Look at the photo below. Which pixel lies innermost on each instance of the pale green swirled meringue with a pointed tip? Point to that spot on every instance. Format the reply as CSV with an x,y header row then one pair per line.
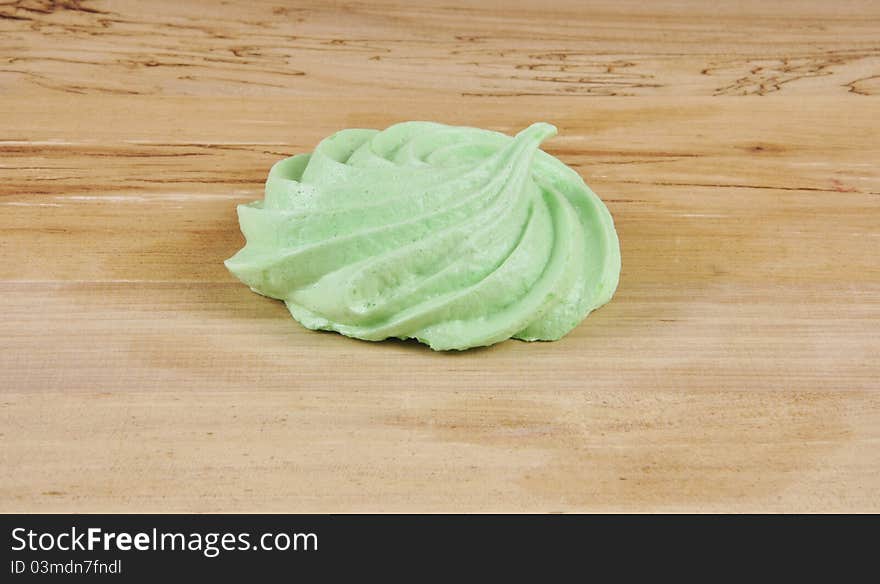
x,y
455,236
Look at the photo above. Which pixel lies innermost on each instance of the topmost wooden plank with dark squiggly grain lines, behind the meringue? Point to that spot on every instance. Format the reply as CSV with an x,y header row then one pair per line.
x,y
569,48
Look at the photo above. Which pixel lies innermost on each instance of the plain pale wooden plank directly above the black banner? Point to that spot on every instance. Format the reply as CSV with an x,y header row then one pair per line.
x,y
340,448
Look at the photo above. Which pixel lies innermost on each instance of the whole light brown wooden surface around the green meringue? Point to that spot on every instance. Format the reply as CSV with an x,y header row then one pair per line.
x,y
737,368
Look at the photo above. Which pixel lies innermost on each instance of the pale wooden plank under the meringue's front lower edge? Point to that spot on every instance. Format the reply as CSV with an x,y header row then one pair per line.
x,y
121,336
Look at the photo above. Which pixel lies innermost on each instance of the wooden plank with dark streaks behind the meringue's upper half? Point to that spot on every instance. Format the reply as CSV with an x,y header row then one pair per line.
x,y
705,188
